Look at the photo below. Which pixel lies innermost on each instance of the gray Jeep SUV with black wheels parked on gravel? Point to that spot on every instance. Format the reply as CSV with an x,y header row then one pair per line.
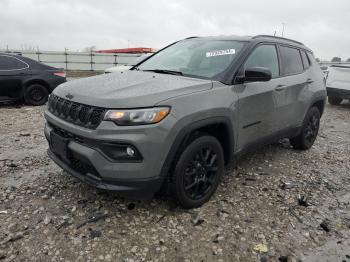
x,y
174,120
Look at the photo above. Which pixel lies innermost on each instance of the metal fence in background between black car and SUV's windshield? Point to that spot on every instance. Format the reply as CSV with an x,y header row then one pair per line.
x,y
85,61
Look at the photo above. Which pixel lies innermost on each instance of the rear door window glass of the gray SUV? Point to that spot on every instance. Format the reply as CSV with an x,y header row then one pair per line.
x,y
291,61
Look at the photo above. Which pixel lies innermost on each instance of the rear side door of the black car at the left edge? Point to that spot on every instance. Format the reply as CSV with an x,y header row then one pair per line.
x,y
12,72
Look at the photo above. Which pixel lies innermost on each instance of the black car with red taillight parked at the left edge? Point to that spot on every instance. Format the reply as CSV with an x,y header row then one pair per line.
x,y
23,79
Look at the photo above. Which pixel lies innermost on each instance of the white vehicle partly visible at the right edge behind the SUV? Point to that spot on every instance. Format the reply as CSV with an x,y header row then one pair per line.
x,y
338,83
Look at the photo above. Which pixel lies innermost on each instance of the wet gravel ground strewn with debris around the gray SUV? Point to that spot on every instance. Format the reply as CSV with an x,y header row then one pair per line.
x,y
278,204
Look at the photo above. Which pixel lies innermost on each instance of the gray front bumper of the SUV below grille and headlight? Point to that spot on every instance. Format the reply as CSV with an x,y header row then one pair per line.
x,y
88,163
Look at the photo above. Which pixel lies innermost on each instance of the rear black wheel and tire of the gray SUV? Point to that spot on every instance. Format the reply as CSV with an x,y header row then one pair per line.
x,y
309,130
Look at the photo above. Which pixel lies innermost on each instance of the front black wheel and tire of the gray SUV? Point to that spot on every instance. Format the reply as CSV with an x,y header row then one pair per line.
x,y
198,172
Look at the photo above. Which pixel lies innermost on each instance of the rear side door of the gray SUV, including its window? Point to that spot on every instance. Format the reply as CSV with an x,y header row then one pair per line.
x,y
291,96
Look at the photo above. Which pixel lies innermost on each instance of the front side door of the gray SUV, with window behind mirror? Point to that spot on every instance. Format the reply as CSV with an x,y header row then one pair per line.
x,y
257,101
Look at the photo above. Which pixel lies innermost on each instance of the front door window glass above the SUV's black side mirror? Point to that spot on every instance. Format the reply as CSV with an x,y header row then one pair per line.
x,y
264,56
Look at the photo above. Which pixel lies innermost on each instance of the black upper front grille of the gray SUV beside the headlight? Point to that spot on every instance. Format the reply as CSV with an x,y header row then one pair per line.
x,y
79,114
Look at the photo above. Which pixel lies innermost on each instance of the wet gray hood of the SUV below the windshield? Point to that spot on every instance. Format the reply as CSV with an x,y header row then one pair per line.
x,y
129,89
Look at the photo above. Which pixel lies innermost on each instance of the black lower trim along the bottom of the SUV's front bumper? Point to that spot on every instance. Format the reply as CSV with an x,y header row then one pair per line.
x,y
140,188
